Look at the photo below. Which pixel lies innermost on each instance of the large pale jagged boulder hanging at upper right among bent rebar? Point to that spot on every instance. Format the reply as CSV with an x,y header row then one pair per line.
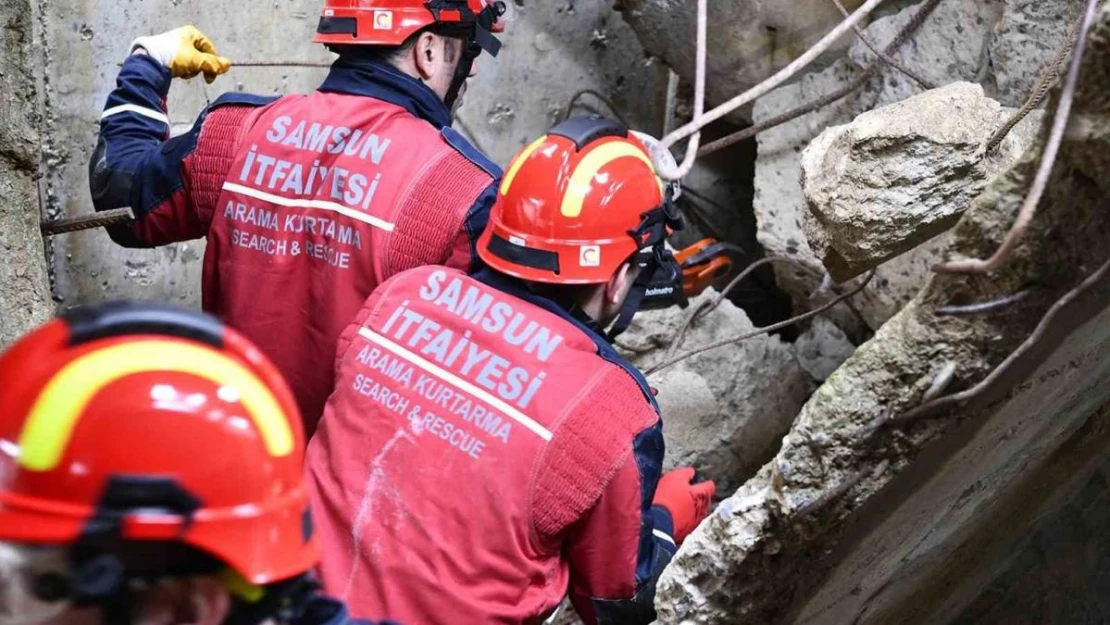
x,y
902,175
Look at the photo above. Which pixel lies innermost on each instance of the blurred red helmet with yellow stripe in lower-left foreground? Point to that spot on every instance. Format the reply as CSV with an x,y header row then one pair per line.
x,y
139,425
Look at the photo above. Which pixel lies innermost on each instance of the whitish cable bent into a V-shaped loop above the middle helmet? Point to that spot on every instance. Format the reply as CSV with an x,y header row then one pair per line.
x,y
701,120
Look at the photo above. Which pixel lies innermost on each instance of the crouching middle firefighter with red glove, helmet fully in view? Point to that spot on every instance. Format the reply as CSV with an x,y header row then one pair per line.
x,y
487,451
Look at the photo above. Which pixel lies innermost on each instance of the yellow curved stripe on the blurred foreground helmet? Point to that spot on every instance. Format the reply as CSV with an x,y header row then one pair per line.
x,y
57,410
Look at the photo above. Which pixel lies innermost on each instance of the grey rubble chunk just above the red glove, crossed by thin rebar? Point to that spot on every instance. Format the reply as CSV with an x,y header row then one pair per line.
x,y
724,411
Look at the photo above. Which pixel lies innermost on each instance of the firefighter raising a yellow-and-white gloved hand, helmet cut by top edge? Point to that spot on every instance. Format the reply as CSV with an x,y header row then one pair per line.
x,y
308,203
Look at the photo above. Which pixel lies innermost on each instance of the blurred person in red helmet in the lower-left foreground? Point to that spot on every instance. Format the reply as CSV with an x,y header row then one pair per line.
x,y
152,475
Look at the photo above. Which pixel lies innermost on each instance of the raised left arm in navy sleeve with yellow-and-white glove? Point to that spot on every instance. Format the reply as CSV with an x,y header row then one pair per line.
x,y
137,165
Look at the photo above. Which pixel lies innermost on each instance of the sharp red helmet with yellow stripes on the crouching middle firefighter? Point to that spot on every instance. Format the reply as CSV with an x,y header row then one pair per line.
x,y
576,205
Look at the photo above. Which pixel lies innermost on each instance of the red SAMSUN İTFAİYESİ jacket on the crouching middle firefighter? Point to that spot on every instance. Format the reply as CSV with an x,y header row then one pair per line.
x,y
486,453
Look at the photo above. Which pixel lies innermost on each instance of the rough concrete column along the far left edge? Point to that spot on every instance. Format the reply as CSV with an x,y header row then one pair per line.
x,y
25,291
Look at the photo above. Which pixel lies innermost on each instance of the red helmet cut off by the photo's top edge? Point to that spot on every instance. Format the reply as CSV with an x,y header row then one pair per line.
x,y
391,23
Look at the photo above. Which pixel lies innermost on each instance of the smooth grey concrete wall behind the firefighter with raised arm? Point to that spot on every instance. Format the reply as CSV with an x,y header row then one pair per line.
x,y
552,51
